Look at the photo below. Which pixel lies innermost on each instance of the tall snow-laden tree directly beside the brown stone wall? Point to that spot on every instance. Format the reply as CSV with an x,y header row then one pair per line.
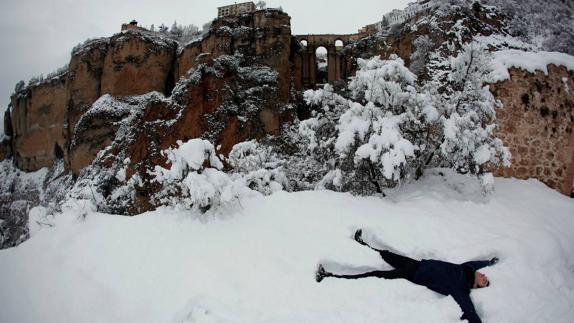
x,y
468,116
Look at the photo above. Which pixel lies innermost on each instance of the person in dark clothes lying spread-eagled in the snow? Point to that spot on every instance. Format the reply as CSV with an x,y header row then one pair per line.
x,y
442,277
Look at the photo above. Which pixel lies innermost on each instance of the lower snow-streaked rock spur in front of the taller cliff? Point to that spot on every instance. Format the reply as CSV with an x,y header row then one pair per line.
x,y
224,100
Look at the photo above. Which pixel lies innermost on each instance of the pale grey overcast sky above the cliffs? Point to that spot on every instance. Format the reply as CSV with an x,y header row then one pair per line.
x,y
37,35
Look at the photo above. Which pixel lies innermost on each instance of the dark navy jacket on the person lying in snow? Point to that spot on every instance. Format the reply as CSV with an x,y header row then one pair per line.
x,y
451,279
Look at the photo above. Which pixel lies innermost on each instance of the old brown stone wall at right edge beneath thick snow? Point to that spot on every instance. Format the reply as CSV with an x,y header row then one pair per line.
x,y
537,123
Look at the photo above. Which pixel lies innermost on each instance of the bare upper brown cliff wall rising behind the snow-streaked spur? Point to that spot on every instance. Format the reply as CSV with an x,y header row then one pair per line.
x,y
46,116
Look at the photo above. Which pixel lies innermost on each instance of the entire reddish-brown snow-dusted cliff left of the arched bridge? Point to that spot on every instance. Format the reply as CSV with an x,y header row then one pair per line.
x,y
125,98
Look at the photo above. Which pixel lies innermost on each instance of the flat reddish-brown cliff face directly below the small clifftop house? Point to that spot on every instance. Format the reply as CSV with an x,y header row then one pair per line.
x,y
137,63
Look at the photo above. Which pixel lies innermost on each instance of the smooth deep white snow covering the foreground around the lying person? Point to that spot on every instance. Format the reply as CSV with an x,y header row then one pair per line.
x,y
258,264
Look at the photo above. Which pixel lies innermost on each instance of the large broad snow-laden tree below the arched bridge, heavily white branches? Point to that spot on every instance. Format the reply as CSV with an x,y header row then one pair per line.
x,y
378,131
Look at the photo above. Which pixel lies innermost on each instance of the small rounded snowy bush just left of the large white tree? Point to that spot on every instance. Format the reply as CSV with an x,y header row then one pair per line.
x,y
259,166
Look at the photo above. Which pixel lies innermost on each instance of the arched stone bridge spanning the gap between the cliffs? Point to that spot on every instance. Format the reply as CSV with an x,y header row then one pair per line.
x,y
337,64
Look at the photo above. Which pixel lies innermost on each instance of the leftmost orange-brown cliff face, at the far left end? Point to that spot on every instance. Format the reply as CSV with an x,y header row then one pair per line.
x,y
38,117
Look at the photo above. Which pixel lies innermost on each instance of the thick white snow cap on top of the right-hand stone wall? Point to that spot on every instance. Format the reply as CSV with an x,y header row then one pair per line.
x,y
529,61
